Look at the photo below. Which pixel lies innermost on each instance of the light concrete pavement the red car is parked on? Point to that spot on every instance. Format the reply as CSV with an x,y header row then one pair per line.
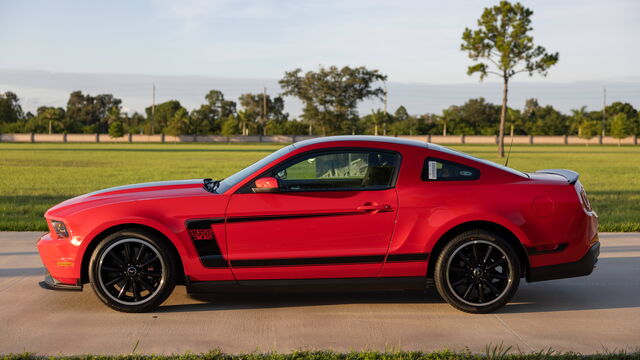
x,y
590,314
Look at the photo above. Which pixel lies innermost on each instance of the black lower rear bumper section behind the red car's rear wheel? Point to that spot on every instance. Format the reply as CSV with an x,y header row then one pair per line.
x,y
582,267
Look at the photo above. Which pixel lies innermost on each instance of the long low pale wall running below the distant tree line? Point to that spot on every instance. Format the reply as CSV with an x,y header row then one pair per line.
x,y
285,139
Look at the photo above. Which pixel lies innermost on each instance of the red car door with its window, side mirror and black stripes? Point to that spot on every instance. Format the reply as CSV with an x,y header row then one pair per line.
x,y
332,217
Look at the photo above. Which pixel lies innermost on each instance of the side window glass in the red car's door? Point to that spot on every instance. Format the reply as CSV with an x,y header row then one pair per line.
x,y
339,170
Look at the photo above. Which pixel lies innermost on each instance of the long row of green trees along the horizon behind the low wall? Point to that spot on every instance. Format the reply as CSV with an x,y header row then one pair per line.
x,y
261,114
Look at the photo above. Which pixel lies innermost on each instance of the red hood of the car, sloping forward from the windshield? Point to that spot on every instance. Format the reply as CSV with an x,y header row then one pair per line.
x,y
133,192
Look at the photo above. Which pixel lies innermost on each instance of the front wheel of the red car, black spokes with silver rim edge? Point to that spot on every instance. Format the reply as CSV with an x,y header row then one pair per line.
x,y
132,271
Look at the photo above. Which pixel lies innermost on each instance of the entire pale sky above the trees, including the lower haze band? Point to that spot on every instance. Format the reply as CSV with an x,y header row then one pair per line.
x,y
51,47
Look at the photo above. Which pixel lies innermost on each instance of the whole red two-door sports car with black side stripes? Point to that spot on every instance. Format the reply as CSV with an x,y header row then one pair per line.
x,y
353,212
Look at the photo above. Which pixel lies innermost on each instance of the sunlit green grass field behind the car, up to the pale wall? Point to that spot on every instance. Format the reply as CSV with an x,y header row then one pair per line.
x,y
34,177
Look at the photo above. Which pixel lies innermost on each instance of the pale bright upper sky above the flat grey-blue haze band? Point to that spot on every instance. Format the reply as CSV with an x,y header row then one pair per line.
x,y
408,40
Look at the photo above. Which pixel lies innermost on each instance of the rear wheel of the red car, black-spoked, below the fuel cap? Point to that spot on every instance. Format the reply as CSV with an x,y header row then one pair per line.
x,y
477,272
